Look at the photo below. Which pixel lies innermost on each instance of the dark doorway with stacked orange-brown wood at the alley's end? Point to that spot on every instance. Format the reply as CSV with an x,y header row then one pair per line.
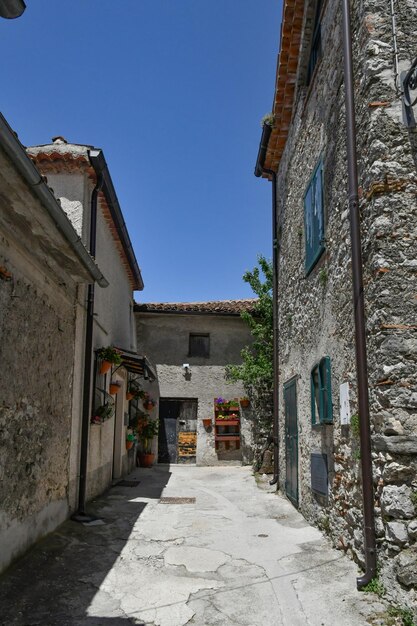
x,y
177,436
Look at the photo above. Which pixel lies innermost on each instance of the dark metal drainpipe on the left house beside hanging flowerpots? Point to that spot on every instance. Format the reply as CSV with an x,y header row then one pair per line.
x,y
80,515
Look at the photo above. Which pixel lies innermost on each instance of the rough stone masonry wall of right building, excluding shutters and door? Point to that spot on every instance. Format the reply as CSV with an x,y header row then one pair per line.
x,y
315,310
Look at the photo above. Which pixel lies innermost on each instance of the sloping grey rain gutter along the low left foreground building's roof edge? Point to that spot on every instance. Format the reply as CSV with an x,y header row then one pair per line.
x,y
17,154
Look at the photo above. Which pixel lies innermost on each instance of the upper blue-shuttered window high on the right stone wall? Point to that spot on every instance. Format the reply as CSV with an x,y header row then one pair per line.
x,y
314,218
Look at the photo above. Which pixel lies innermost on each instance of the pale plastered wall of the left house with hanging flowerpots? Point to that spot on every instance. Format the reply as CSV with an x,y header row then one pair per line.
x,y
113,325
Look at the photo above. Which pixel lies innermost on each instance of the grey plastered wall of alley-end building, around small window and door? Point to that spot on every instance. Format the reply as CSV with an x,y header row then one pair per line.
x,y
164,339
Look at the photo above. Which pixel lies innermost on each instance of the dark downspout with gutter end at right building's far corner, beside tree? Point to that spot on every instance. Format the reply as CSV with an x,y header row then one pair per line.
x,y
259,170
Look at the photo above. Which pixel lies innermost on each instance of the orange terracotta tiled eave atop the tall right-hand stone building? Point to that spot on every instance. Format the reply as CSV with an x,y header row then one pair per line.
x,y
285,83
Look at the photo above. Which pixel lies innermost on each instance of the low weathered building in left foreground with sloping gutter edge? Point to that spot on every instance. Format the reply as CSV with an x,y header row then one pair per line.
x,y
43,272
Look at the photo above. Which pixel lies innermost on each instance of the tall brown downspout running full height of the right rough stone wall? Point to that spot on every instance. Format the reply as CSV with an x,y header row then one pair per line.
x,y
359,310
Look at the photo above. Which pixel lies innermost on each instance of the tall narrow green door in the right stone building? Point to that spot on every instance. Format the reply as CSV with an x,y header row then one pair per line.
x,y
291,440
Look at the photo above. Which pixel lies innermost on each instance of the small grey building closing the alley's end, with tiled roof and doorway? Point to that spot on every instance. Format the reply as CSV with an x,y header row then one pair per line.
x,y
190,345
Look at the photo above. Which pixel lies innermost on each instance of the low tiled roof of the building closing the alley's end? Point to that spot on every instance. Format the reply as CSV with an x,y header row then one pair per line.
x,y
219,307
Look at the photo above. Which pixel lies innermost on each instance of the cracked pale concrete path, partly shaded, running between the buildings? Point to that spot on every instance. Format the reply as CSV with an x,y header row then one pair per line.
x,y
237,555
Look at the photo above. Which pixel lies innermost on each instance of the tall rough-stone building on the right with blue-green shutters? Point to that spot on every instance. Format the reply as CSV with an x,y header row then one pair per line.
x,y
306,154
